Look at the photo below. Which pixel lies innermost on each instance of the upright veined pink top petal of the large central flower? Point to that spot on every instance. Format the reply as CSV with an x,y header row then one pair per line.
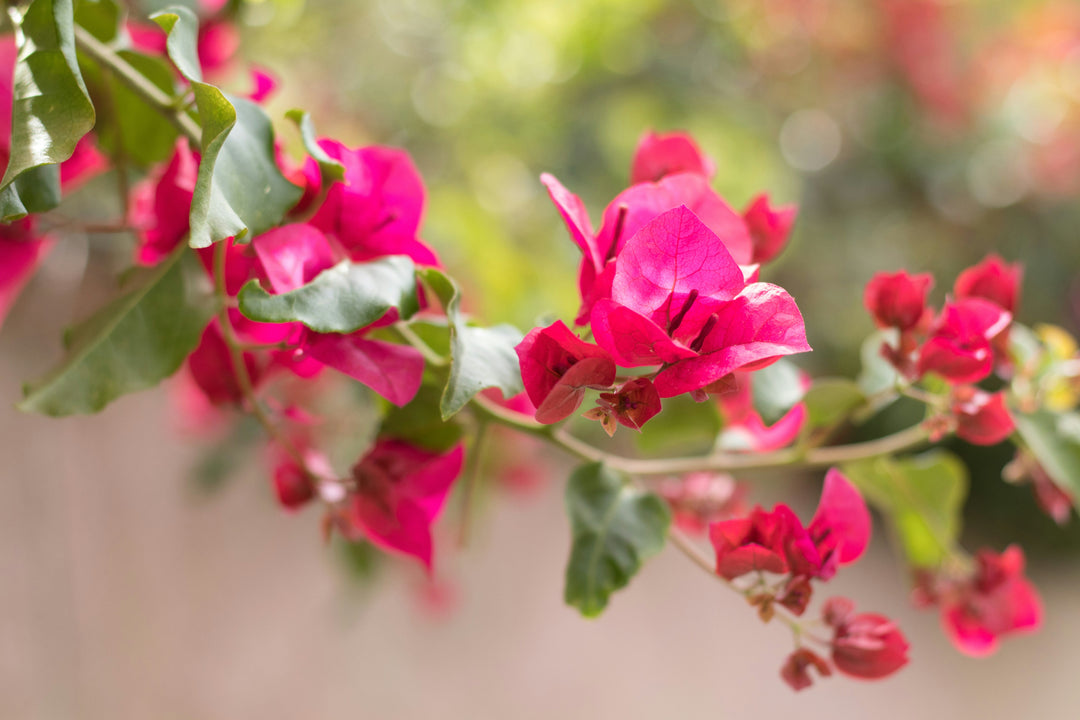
x,y
672,255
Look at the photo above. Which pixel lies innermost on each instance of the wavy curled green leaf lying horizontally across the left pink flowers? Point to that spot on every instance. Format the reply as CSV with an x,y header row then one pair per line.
x,y
341,300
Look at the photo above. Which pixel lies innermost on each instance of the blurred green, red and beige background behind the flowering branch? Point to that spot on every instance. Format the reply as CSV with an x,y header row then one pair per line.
x,y
144,575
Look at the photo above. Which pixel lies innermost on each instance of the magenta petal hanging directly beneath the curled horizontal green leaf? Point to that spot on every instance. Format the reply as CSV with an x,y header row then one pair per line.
x,y
393,371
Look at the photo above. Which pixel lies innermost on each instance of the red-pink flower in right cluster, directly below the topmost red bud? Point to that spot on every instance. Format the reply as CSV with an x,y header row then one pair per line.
x,y
960,346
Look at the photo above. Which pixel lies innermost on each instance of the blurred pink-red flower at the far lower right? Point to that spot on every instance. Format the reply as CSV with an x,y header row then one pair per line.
x,y
997,601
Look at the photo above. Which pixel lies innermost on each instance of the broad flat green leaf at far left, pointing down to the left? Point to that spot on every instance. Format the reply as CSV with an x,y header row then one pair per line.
x,y
132,344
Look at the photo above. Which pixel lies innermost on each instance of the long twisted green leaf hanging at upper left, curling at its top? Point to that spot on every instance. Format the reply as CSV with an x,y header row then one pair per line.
x,y
240,192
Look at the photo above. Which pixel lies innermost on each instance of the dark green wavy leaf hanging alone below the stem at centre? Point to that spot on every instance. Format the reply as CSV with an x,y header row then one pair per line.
x,y
615,528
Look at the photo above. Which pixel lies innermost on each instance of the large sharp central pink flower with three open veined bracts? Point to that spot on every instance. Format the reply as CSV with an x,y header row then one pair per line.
x,y
680,301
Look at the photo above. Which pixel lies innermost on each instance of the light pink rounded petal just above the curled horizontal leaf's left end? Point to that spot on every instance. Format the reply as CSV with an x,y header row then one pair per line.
x,y
293,255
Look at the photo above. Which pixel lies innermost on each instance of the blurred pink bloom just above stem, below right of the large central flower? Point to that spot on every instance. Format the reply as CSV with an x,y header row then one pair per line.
x,y
744,427
